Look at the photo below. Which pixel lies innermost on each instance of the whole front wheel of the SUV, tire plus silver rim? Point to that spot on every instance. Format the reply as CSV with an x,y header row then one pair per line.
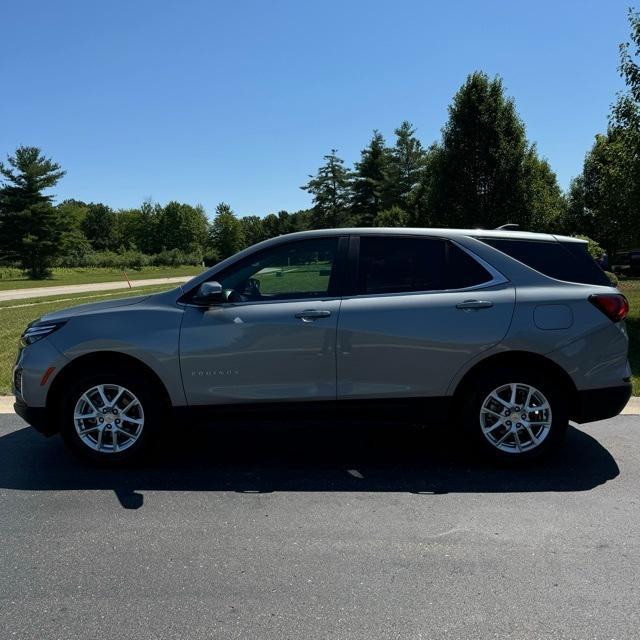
x,y
132,416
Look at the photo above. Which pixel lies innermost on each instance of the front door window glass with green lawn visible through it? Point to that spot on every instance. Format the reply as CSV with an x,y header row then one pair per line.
x,y
296,270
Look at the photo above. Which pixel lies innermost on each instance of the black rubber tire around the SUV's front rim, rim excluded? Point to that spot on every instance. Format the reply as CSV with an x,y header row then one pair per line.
x,y
145,392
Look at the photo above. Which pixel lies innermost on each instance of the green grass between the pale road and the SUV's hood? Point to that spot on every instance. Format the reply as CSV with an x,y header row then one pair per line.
x,y
16,314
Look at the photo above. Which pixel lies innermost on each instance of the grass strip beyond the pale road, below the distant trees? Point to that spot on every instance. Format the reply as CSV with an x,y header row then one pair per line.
x,y
90,275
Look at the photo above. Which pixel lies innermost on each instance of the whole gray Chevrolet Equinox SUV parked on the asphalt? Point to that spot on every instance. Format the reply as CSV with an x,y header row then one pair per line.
x,y
504,335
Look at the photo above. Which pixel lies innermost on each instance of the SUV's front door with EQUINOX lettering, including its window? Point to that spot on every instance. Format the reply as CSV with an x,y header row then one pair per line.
x,y
273,336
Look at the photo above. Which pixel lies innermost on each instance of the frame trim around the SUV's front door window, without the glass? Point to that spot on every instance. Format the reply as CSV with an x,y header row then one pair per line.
x,y
340,276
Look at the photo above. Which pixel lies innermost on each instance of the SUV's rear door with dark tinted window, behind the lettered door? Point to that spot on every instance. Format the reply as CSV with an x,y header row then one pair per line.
x,y
421,307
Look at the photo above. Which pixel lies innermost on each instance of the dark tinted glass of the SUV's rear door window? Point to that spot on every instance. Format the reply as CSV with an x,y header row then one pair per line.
x,y
405,264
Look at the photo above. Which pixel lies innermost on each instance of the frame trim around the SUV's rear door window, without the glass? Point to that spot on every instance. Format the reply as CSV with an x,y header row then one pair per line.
x,y
497,278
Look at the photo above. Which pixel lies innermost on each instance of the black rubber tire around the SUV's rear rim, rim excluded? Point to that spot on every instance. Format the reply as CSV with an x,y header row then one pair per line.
x,y
483,385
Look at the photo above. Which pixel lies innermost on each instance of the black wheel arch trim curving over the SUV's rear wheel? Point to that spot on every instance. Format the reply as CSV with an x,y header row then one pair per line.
x,y
519,359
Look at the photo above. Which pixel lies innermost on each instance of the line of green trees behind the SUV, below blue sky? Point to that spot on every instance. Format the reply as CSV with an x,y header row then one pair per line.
x,y
483,172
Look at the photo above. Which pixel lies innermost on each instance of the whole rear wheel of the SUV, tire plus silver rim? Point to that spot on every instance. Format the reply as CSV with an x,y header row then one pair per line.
x,y
510,431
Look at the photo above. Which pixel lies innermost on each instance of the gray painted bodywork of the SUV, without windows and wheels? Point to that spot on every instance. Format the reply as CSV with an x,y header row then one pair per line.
x,y
397,345
